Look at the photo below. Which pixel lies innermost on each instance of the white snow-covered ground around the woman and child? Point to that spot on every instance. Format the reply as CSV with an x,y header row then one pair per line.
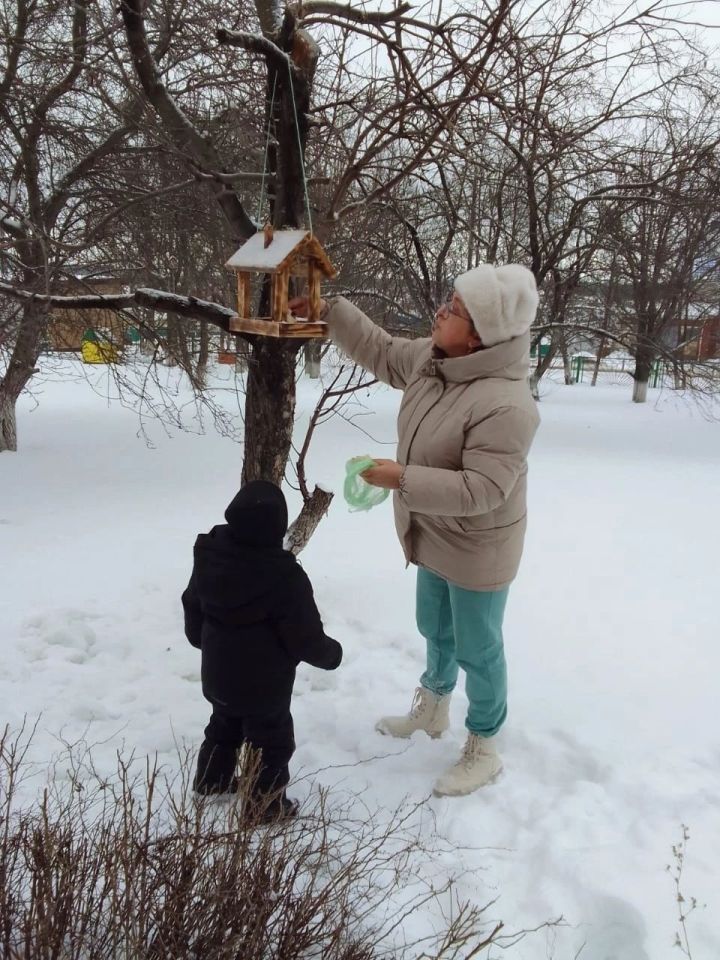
x,y
611,635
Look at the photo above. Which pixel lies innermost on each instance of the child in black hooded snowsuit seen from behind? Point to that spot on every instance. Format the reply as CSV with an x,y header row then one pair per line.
x,y
249,607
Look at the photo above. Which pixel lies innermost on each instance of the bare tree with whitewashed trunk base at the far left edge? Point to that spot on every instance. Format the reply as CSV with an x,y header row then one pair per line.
x,y
64,116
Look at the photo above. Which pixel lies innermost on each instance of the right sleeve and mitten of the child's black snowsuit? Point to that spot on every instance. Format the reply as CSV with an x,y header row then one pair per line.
x,y
301,629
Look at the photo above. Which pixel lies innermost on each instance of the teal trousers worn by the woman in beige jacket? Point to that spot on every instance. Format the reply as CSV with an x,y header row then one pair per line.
x,y
463,628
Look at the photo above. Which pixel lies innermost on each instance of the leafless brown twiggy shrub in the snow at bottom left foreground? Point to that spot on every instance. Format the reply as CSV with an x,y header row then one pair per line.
x,y
135,867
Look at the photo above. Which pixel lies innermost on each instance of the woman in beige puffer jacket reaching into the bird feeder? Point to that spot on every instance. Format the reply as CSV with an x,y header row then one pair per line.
x,y
465,426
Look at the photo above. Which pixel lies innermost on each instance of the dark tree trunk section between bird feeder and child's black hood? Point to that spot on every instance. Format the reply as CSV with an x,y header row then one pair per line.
x,y
269,410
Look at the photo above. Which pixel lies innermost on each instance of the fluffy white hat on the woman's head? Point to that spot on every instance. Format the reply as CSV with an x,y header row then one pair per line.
x,y
501,300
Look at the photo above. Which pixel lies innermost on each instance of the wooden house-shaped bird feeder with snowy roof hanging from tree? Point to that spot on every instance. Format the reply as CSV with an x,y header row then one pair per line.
x,y
282,254
